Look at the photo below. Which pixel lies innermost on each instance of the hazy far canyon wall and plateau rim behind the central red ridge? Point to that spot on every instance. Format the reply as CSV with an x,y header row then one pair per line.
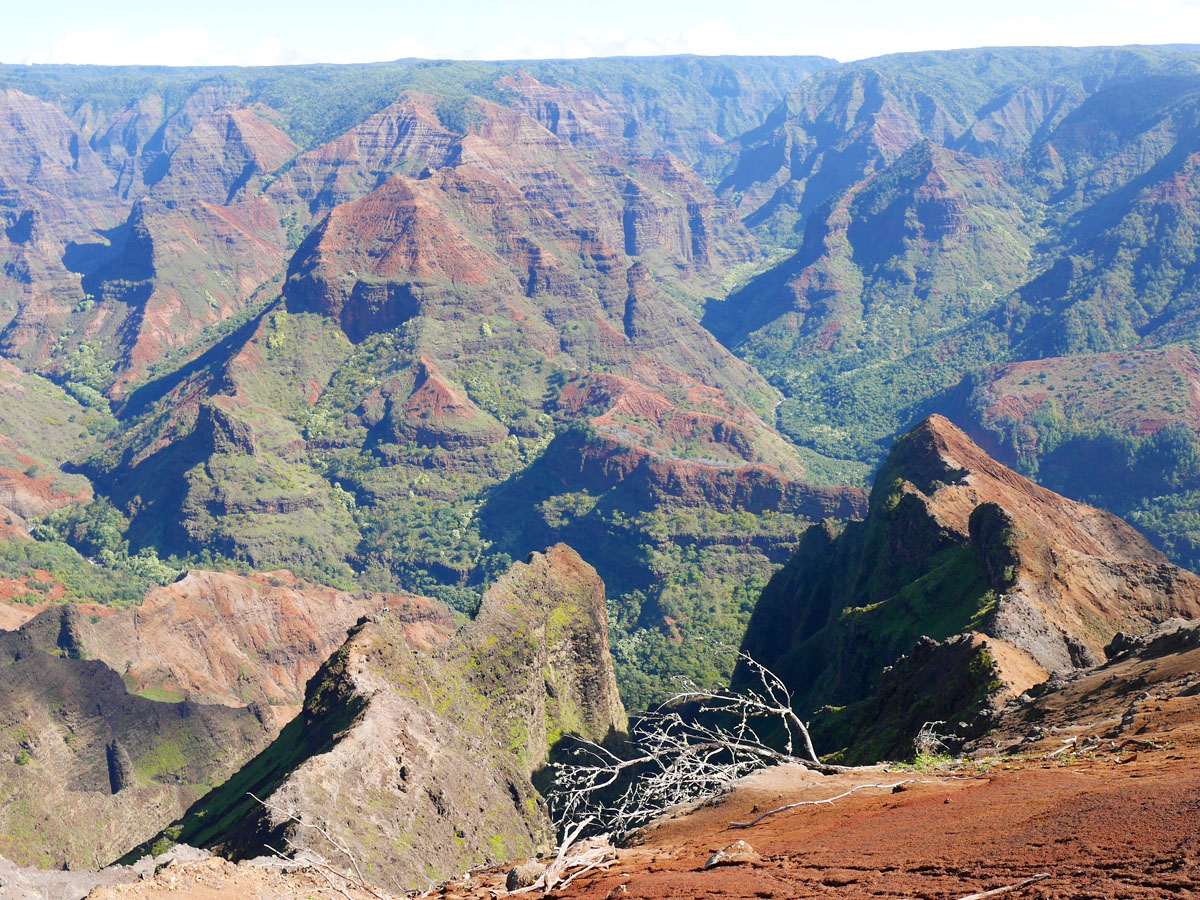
x,y
184,145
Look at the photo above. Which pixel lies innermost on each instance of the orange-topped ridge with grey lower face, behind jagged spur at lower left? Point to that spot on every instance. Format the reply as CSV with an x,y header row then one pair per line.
x,y
124,718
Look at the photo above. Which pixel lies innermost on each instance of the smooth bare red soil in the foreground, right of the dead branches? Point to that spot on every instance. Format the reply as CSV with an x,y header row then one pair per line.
x,y
1100,830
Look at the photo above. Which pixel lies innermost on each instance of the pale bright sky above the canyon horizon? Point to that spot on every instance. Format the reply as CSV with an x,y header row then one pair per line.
x,y
275,33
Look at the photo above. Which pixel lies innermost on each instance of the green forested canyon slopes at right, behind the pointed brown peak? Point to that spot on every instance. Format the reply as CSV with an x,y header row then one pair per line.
x,y
919,269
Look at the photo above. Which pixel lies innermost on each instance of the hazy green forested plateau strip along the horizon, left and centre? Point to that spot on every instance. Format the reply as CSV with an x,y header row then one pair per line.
x,y
319,103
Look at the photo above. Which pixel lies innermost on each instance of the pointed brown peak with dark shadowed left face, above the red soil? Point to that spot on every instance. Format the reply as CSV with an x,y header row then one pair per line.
x,y
956,544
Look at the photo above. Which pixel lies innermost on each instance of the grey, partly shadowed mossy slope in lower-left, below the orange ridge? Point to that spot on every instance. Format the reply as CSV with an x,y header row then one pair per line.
x,y
88,770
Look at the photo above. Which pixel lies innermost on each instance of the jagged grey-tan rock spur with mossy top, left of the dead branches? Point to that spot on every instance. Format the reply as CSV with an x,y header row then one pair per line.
x,y
422,761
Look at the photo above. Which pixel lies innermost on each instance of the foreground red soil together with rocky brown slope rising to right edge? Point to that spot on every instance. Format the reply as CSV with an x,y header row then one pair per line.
x,y
1120,820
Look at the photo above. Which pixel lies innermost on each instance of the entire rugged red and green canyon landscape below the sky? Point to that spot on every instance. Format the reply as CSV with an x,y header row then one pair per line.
x,y
369,434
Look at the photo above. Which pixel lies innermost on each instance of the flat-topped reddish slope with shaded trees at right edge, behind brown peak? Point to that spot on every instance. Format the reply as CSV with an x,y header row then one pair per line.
x,y
1118,430
